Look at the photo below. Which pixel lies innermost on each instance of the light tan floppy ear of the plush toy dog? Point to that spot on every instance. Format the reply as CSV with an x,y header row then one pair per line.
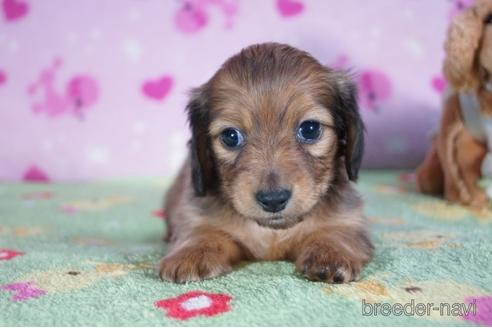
x,y
462,43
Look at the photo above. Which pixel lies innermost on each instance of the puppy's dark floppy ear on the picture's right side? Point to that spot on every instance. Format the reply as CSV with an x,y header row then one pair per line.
x,y
350,126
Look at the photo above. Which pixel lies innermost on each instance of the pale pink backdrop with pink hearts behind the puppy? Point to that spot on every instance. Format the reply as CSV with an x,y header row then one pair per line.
x,y
96,88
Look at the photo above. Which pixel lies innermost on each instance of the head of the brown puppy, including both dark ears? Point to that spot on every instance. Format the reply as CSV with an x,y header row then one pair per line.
x,y
269,132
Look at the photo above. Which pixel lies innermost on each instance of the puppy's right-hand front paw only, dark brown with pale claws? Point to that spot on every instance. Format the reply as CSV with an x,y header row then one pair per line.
x,y
327,265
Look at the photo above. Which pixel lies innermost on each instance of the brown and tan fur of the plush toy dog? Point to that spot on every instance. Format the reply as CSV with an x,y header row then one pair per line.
x,y
452,165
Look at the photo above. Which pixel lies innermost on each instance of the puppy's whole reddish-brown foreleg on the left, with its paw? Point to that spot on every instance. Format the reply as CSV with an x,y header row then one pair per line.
x,y
205,253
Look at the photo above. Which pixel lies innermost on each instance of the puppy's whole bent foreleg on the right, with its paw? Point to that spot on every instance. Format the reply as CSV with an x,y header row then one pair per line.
x,y
334,255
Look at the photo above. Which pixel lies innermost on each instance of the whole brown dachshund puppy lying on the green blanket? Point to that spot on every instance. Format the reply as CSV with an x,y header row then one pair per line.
x,y
276,139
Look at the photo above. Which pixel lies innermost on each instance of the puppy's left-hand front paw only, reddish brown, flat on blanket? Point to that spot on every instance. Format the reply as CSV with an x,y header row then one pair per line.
x,y
192,264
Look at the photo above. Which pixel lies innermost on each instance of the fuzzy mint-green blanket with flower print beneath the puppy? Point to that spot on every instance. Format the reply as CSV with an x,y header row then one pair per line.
x,y
84,254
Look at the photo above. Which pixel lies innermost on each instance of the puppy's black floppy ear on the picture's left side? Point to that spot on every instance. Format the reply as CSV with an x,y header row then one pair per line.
x,y
203,174
